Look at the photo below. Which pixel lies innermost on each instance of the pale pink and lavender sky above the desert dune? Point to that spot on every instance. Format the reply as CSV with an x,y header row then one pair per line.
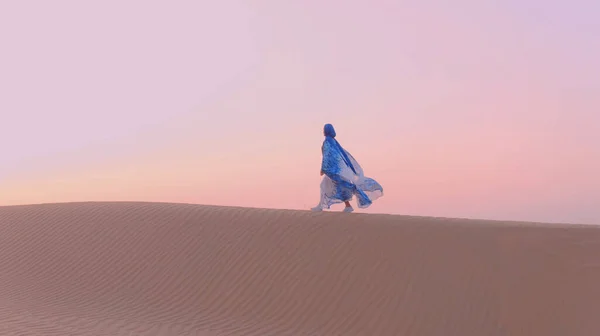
x,y
475,109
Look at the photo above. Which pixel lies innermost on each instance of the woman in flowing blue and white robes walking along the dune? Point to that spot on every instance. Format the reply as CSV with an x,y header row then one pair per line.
x,y
344,178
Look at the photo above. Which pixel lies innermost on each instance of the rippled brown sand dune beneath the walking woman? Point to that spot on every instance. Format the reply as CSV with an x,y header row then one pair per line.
x,y
176,269
